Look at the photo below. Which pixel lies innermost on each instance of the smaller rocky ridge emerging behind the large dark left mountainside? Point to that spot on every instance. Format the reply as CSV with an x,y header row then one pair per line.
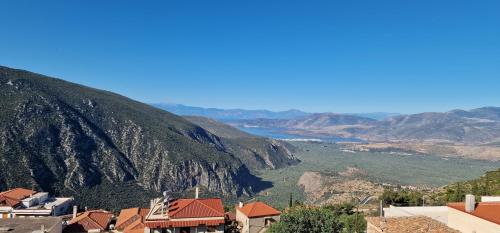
x,y
258,152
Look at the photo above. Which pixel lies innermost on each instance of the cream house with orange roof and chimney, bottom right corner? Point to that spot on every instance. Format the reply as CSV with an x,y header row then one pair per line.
x,y
472,217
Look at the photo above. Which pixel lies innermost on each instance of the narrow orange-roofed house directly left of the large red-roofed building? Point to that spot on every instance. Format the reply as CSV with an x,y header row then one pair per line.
x,y
131,220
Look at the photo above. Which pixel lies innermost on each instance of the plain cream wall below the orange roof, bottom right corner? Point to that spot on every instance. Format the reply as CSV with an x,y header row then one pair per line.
x,y
467,223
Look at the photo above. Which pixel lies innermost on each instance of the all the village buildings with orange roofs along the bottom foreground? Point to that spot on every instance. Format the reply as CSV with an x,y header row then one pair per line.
x,y
29,211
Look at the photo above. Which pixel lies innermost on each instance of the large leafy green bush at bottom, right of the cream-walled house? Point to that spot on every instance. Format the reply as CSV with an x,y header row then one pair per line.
x,y
327,219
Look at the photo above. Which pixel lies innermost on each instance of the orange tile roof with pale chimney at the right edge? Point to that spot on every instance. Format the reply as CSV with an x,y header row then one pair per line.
x,y
489,211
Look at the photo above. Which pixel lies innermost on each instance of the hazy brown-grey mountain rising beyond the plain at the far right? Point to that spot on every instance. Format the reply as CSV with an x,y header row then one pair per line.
x,y
471,127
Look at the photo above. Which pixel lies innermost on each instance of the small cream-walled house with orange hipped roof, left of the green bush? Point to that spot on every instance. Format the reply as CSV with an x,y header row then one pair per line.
x,y
256,217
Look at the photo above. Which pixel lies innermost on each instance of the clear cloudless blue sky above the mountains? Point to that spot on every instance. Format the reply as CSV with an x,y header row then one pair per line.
x,y
340,56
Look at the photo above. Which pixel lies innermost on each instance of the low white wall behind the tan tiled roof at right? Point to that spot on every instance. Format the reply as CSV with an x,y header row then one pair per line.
x,y
438,213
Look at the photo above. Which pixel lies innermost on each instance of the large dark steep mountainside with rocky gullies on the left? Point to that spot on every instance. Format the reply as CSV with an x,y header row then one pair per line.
x,y
63,137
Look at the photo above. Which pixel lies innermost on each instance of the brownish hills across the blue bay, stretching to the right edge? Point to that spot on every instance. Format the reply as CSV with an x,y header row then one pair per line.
x,y
477,126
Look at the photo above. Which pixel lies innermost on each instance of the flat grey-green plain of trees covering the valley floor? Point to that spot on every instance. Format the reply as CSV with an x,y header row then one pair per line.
x,y
419,170
